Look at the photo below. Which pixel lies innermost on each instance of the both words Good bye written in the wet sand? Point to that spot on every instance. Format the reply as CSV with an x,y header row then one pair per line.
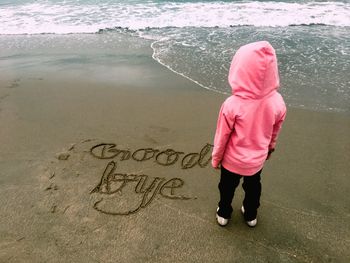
x,y
146,188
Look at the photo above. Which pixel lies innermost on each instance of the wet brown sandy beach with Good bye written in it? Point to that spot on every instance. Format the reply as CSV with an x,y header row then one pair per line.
x,y
115,169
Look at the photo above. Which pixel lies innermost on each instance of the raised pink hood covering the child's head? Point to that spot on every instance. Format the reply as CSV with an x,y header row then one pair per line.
x,y
254,73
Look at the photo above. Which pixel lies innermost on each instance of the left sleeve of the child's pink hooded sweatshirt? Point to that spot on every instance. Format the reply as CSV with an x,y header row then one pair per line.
x,y
224,129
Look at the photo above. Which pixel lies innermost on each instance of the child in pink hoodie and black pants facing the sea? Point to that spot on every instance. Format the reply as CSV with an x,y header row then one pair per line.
x,y
247,128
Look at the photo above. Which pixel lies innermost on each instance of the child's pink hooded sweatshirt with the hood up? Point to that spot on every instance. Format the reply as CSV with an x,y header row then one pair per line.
x,y
250,120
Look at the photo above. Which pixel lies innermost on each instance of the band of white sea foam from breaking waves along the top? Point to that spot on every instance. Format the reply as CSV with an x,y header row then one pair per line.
x,y
67,17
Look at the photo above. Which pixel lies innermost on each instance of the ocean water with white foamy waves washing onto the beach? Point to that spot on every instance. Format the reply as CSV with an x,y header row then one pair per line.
x,y
197,39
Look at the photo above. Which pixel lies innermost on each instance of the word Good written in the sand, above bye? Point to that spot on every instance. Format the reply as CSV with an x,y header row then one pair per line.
x,y
165,158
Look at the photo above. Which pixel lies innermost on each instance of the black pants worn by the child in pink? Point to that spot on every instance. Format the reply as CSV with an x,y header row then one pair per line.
x,y
252,188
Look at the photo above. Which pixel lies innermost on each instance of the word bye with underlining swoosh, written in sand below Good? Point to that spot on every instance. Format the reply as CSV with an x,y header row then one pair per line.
x,y
112,182
